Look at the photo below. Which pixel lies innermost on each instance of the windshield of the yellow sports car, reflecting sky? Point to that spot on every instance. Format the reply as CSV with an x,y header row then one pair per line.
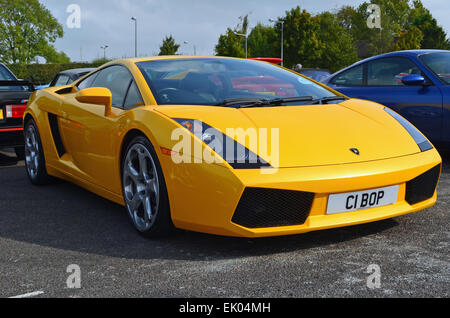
x,y
211,81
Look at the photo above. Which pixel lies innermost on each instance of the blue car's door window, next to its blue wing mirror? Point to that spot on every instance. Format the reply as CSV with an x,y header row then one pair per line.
x,y
390,71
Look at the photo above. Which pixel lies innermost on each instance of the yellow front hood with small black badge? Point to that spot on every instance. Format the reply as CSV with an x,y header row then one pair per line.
x,y
312,135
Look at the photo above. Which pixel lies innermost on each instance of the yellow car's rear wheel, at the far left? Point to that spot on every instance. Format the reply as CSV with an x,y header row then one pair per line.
x,y
34,156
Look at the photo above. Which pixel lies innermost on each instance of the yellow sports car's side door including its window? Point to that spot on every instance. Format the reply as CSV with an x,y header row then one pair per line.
x,y
89,133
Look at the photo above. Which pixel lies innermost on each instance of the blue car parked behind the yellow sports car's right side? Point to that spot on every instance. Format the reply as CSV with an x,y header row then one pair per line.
x,y
416,84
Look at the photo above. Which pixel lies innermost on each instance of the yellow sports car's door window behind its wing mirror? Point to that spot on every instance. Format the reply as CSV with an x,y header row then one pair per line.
x,y
117,79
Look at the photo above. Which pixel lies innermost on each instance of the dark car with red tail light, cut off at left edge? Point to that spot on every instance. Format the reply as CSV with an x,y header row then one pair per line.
x,y
14,96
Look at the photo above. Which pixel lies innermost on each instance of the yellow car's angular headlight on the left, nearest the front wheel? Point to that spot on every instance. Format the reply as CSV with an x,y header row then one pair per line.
x,y
235,154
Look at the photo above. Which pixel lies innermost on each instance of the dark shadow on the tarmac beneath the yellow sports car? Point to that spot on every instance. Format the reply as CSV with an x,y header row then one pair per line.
x,y
66,217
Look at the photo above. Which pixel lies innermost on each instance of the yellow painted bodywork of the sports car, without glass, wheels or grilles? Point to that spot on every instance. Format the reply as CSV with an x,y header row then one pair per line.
x,y
314,155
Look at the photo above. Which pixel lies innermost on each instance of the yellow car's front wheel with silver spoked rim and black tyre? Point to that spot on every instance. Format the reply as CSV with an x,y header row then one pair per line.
x,y
160,223
